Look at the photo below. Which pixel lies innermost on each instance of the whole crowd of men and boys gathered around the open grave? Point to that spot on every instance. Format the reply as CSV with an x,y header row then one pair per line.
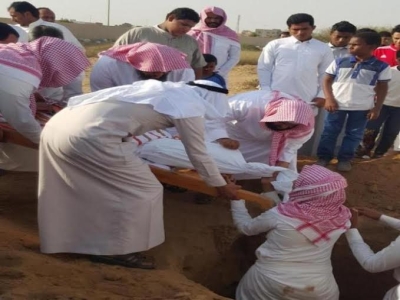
x,y
98,197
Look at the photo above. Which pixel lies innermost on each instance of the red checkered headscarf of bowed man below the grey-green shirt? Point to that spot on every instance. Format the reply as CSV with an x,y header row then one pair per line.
x,y
149,57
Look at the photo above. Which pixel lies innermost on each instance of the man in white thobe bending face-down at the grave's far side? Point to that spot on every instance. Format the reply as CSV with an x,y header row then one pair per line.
x,y
257,141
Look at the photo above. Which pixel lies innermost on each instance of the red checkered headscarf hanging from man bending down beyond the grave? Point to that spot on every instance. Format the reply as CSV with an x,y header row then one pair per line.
x,y
281,109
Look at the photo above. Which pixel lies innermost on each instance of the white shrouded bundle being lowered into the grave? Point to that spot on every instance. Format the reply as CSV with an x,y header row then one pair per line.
x,y
171,152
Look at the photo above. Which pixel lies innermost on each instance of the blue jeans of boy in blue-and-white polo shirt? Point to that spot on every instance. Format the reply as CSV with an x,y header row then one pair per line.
x,y
356,122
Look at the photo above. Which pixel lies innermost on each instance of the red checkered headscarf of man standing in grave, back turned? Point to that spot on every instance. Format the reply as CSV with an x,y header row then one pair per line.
x,y
317,201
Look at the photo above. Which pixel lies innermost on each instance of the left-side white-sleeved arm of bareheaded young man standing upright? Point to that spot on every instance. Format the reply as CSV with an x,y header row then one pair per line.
x,y
265,66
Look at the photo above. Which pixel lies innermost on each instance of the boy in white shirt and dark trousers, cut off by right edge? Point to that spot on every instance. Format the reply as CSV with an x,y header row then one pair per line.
x,y
389,117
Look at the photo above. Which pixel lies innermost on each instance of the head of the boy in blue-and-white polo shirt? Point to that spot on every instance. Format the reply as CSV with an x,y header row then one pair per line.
x,y
364,42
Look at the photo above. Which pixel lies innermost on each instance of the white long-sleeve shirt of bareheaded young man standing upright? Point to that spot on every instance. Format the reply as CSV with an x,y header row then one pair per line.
x,y
294,67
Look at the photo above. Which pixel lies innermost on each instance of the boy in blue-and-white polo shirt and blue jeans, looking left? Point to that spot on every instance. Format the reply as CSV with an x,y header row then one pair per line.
x,y
350,86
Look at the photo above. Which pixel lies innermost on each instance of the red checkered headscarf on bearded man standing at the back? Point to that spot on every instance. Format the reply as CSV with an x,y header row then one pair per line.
x,y
204,40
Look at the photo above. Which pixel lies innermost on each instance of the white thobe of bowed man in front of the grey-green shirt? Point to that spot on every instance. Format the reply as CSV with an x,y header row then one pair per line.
x,y
110,72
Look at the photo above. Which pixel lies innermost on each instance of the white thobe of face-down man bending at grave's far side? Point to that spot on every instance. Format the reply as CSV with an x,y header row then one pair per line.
x,y
246,111
